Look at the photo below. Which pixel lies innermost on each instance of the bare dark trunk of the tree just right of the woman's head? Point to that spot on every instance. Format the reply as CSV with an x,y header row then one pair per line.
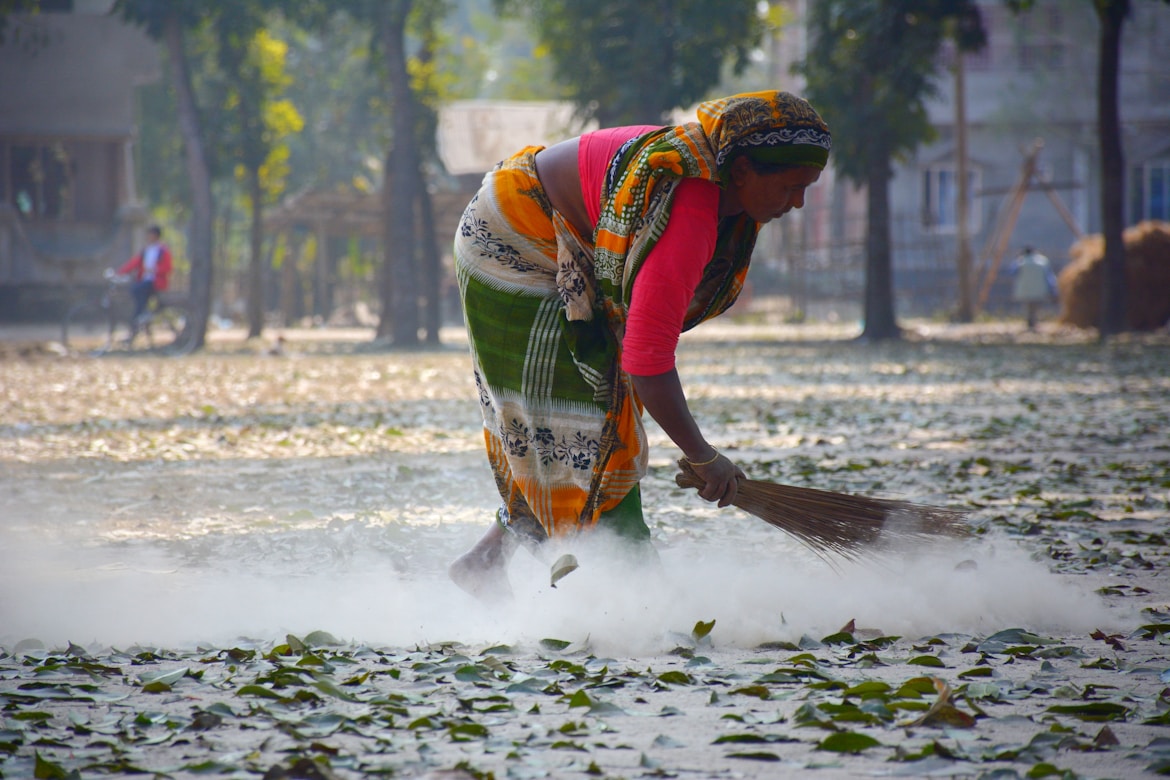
x,y
880,323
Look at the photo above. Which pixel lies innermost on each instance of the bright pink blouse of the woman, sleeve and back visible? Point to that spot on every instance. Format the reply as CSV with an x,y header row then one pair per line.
x,y
667,280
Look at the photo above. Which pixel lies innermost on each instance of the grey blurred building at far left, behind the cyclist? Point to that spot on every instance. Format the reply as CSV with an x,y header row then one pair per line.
x,y
68,205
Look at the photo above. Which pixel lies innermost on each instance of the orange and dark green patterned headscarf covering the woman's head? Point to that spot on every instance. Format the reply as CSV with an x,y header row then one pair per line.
x,y
770,127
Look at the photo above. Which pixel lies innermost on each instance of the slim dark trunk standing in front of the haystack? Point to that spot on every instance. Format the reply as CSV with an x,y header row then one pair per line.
x,y
1113,169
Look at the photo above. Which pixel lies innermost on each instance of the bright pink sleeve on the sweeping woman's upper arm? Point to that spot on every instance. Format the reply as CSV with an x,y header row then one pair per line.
x,y
667,280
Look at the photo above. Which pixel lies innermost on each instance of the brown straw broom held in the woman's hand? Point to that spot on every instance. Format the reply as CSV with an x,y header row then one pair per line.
x,y
838,524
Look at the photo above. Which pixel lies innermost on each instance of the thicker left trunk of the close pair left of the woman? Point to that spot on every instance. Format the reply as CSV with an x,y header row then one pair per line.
x,y
400,286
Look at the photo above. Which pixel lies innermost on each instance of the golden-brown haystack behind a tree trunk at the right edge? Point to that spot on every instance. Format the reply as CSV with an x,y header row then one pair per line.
x,y
1147,279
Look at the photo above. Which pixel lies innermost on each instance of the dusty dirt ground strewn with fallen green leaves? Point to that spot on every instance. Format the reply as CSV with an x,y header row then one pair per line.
x,y
233,564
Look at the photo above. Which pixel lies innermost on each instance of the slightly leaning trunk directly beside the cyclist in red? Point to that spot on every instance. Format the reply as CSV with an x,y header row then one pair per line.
x,y
202,233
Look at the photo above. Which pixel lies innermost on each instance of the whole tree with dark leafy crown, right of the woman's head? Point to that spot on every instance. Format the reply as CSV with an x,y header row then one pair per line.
x,y
871,68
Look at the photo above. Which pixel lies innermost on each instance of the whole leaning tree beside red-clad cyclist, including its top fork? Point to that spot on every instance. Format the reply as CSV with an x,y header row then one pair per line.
x,y
169,22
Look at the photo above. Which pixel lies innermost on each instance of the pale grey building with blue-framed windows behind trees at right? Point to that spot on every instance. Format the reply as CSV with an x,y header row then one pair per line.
x,y
1033,137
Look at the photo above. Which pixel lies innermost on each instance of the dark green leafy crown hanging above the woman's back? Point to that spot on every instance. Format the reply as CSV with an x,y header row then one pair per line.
x,y
635,61
